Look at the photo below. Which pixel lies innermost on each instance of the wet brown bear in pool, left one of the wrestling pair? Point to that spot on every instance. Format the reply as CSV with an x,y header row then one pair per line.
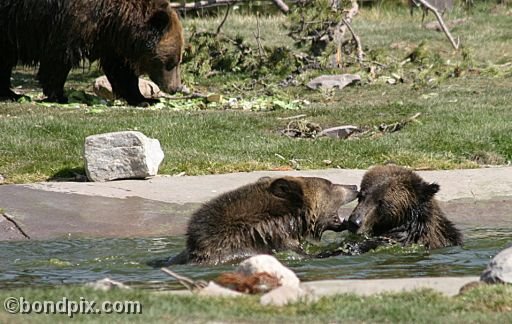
x,y
272,214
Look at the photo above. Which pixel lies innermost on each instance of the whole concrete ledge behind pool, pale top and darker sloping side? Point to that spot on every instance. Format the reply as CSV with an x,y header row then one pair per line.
x,y
161,206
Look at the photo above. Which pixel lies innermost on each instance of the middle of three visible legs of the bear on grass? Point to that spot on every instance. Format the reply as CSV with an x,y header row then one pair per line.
x,y
52,76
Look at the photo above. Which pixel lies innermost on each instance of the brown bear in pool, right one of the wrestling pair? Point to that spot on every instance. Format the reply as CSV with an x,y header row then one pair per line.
x,y
397,205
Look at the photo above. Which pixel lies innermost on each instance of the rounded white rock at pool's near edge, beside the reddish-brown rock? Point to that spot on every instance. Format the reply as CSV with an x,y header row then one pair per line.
x,y
269,264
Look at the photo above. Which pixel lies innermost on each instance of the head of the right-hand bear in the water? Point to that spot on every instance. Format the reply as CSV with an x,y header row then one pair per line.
x,y
391,198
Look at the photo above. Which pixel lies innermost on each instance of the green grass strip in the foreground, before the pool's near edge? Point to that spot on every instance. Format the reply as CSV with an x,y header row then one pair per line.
x,y
490,304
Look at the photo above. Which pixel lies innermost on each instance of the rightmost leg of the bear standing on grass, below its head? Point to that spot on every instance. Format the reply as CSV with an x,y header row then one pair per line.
x,y
124,81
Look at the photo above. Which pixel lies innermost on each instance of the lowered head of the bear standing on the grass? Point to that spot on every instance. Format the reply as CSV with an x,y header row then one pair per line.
x,y
165,43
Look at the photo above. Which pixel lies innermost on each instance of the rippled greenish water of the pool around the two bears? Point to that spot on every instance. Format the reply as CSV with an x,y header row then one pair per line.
x,y
74,261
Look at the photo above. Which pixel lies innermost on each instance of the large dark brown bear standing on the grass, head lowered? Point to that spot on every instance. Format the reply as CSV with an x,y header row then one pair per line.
x,y
128,37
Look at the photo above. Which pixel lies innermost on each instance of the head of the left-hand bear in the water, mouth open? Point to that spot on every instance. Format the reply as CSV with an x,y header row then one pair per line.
x,y
319,200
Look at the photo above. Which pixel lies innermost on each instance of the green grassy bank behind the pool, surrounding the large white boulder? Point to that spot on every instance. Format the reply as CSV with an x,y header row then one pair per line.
x,y
464,121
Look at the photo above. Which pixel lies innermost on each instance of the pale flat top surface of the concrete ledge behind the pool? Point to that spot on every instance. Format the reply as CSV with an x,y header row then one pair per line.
x,y
477,184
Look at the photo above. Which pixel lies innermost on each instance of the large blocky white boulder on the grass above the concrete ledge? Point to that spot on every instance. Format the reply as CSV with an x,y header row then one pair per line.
x,y
121,155
